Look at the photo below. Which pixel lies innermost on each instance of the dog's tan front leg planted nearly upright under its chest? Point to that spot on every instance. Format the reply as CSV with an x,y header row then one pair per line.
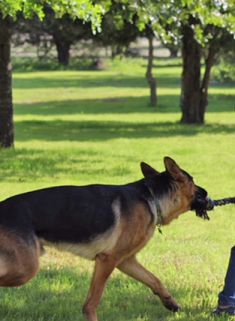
x,y
104,266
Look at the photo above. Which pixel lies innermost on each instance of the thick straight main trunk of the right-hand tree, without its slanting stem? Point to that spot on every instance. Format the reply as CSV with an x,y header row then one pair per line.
x,y
191,89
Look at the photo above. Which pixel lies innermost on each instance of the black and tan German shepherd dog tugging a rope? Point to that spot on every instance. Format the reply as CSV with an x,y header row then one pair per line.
x,y
106,223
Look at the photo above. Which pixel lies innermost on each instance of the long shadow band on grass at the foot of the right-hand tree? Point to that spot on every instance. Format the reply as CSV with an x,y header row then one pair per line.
x,y
59,130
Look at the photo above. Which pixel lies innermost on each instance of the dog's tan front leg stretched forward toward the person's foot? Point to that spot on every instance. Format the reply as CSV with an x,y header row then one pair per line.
x,y
134,269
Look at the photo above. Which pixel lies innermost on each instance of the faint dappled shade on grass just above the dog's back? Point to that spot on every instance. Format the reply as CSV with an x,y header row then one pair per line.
x,y
27,165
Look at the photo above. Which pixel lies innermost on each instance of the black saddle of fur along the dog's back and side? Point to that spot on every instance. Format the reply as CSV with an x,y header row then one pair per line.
x,y
67,213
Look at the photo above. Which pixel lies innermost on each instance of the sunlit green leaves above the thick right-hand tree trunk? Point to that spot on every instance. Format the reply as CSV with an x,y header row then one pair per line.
x,y
170,16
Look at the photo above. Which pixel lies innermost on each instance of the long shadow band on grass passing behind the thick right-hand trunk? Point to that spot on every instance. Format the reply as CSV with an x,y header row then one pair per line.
x,y
118,105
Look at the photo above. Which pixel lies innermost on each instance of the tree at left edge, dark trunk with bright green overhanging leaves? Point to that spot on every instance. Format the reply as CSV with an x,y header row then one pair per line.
x,y
84,9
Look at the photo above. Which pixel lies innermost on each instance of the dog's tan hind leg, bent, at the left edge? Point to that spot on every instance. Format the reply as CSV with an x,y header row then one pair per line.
x,y
18,259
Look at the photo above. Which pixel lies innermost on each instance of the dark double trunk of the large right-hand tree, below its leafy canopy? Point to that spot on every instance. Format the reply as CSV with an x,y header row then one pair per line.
x,y
195,82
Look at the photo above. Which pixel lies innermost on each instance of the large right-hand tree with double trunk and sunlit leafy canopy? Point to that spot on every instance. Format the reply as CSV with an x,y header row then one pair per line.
x,y
203,27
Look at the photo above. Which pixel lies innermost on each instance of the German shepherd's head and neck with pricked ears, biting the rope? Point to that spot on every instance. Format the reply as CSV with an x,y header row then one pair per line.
x,y
176,191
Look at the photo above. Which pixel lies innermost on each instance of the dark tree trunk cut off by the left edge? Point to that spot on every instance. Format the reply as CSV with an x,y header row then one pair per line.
x,y
6,105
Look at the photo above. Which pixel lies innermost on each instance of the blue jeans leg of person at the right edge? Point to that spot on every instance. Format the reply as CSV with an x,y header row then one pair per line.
x,y
227,296
